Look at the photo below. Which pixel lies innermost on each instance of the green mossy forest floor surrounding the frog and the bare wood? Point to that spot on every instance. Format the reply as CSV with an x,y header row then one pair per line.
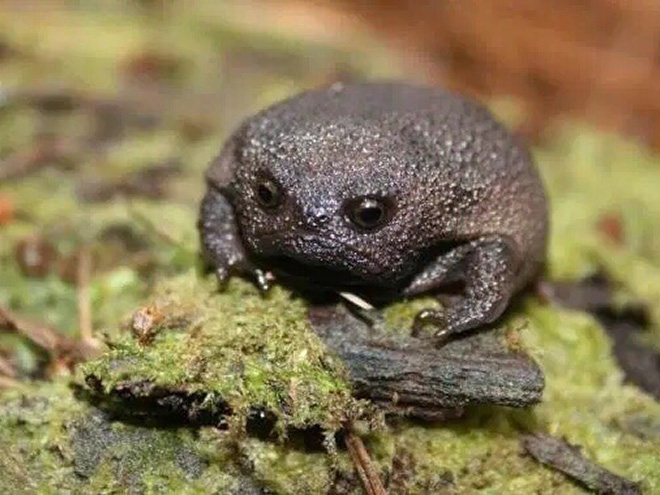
x,y
107,122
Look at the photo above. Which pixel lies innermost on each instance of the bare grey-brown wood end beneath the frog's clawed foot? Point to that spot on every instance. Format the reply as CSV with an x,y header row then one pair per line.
x,y
413,377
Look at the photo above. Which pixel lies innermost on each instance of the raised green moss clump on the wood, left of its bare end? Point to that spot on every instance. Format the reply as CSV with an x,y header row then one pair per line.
x,y
249,351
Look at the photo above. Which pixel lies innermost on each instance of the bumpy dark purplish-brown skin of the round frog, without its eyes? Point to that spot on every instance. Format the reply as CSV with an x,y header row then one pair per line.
x,y
465,205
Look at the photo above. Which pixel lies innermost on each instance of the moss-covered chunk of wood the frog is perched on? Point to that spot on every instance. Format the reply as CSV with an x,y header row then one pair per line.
x,y
203,355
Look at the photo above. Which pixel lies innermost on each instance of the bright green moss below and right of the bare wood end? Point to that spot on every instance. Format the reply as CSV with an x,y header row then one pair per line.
x,y
587,404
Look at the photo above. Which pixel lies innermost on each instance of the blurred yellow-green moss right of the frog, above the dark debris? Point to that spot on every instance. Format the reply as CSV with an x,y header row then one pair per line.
x,y
595,180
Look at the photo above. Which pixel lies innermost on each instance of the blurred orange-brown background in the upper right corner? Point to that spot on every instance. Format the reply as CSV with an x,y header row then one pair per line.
x,y
593,59
